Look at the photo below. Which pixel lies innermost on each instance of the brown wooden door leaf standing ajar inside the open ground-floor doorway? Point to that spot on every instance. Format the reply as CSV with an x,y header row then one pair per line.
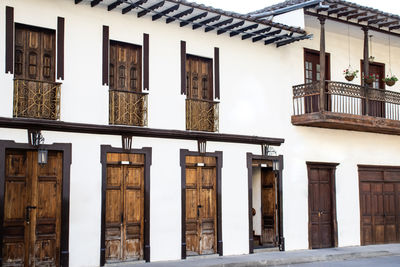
x,y
268,207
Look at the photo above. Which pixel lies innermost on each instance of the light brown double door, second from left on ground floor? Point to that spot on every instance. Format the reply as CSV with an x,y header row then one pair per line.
x,y
124,229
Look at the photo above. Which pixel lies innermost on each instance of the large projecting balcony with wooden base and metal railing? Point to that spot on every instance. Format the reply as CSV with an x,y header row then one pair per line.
x,y
347,107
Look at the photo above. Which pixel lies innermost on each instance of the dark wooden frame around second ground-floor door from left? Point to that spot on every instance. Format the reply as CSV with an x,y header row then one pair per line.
x,y
147,152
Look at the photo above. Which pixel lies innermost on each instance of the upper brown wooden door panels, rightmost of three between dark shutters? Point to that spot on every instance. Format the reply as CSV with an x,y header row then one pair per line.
x,y
199,78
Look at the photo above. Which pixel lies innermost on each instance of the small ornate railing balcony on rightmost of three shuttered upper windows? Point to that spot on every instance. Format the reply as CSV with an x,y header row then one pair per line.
x,y
202,115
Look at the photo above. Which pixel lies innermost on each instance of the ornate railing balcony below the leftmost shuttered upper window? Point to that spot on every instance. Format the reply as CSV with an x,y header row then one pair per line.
x,y
36,99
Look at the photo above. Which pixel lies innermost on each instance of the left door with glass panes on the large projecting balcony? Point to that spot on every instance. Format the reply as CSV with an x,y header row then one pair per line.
x,y
312,74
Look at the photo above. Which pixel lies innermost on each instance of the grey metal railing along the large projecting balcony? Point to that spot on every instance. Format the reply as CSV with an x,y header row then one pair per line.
x,y
348,99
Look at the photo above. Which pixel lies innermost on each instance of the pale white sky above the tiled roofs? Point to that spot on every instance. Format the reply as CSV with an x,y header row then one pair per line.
x,y
240,6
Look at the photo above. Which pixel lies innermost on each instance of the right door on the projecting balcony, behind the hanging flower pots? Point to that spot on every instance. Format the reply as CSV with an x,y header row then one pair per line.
x,y
376,107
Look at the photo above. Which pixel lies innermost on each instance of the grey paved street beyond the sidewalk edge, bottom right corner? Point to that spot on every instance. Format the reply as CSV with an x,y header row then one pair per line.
x,y
387,261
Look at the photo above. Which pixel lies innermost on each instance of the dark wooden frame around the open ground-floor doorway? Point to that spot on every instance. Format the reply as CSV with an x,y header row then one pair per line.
x,y
250,157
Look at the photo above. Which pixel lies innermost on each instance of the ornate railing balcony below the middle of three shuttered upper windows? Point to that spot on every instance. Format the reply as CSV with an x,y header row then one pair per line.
x,y
128,108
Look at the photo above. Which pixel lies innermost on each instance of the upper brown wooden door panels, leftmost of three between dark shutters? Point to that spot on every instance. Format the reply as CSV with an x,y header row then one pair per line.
x,y
34,53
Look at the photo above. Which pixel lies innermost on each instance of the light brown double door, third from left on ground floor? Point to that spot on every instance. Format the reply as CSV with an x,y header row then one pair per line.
x,y
201,205
